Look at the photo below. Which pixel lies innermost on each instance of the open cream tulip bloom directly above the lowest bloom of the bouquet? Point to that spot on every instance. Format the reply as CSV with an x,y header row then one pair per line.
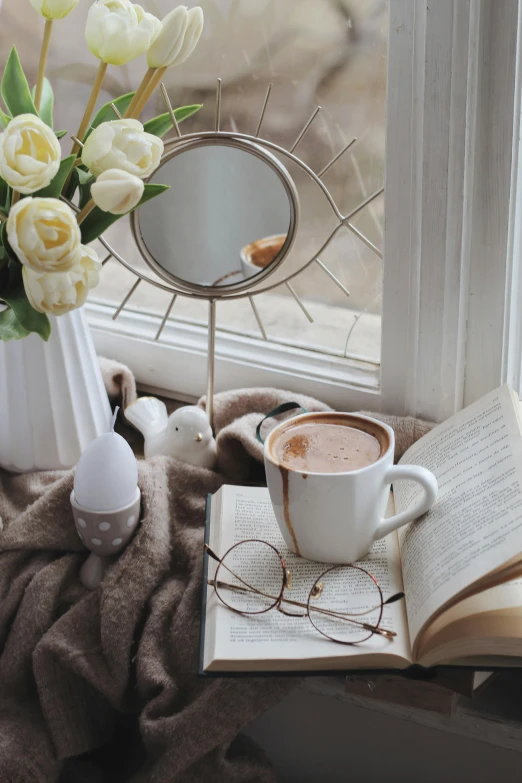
x,y
44,234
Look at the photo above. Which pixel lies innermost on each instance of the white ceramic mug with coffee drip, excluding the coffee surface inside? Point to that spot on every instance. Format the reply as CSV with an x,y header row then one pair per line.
x,y
336,517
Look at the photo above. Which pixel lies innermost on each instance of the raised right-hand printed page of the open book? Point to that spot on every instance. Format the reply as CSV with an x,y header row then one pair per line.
x,y
476,524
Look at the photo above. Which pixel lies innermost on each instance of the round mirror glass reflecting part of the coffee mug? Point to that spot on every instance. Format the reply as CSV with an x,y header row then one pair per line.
x,y
224,220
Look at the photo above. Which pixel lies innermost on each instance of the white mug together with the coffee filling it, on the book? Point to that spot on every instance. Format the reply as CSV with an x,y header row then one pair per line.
x,y
329,478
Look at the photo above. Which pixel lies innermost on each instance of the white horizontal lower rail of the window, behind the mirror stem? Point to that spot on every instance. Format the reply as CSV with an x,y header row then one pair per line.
x,y
177,365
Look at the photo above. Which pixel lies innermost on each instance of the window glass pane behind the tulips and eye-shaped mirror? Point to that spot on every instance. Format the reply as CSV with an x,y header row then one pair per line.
x,y
315,52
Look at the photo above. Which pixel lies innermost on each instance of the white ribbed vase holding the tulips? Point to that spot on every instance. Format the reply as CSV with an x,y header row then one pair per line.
x,y
53,401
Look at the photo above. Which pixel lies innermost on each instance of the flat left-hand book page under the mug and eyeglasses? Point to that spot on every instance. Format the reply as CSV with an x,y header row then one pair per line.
x,y
247,513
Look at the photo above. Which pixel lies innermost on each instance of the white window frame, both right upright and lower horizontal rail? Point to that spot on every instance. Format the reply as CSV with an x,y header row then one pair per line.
x,y
452,312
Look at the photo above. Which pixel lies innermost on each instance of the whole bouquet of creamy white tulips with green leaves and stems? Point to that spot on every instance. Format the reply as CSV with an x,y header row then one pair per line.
x,y
51,209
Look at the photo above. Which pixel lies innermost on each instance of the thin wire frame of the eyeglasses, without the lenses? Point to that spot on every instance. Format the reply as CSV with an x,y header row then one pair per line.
x,y
315,591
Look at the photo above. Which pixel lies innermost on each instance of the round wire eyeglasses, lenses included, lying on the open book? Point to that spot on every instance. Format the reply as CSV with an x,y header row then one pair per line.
x,y
345,603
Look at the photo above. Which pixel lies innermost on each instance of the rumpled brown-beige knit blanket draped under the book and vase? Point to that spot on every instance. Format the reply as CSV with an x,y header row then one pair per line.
x,y
103,685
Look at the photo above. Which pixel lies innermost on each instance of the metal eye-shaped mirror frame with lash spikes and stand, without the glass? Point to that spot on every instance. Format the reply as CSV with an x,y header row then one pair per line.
x,y
251,287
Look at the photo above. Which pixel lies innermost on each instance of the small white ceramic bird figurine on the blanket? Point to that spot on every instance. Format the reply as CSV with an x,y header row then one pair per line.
x,y
185,435
